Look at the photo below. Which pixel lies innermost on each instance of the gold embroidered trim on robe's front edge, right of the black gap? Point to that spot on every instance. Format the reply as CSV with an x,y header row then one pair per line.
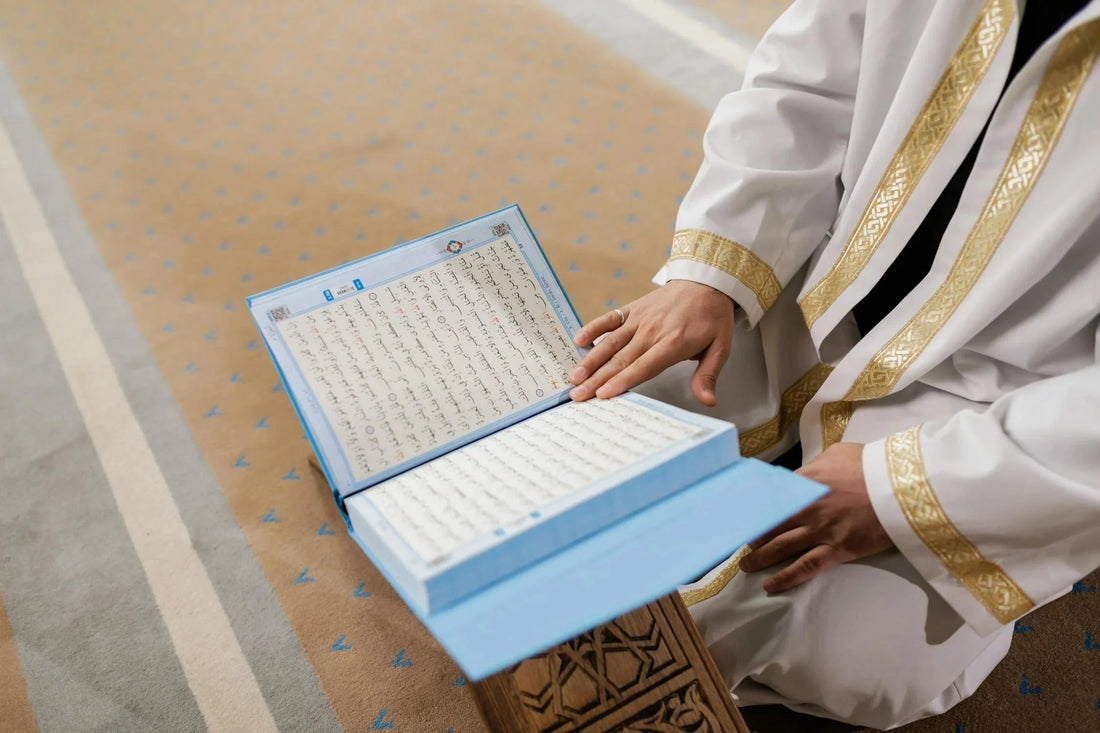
x,y
1047,116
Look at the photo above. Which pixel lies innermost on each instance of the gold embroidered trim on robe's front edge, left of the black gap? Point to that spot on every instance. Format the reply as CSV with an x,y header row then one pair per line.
x,y
920,147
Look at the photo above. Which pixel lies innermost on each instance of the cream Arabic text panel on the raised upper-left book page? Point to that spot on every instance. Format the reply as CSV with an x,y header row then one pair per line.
x,y
423,360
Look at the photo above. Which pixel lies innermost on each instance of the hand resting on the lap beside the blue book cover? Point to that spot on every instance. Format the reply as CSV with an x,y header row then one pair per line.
x,y
840,528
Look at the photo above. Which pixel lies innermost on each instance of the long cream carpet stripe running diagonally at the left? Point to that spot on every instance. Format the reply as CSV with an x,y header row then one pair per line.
x,y
217,672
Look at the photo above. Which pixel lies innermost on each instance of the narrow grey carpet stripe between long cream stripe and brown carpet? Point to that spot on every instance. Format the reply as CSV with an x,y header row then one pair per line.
x,y
290,686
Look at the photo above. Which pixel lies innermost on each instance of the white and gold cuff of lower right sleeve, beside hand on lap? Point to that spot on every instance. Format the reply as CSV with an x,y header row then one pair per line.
x,y
911,513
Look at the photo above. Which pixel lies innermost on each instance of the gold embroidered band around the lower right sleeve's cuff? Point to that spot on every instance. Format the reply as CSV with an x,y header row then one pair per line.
x,y
985,579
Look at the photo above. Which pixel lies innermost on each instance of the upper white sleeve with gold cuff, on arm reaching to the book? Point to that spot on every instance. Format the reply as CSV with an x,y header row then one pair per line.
x,y
769,189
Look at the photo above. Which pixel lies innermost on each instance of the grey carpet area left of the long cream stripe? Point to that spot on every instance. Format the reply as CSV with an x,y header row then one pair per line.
x,y
91,640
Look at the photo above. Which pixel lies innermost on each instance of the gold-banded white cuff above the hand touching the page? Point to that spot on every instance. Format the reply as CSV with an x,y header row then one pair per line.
x,y
707,258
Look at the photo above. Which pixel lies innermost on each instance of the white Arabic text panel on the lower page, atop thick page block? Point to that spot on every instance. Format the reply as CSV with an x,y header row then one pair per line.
x,y
507,477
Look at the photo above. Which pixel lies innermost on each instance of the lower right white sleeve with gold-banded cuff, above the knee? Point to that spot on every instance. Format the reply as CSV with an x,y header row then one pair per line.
x,y
999,510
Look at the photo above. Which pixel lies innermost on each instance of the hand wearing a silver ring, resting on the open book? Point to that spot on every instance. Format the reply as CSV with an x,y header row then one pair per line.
x,y
679,321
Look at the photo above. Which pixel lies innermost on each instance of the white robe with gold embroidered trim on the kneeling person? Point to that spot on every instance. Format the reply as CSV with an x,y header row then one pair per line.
x,y
978,398
